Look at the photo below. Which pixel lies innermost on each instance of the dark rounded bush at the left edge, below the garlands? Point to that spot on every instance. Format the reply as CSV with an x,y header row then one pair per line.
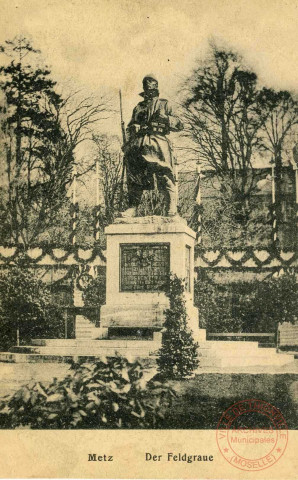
x,y
25,306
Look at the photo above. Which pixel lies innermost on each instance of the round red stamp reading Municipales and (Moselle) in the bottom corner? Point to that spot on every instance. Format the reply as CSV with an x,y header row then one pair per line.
x,y
252,435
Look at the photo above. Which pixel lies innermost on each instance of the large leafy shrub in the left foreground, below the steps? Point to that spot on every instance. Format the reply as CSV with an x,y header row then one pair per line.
x,y
105,394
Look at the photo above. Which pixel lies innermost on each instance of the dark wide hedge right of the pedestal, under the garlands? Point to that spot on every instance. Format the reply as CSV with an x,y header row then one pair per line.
x,y
246,306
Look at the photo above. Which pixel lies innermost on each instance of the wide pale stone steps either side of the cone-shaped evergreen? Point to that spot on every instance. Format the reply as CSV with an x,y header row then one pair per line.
x,y
211,353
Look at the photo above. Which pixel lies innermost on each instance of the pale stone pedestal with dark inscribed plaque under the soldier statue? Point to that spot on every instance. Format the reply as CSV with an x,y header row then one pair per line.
x,y
141,252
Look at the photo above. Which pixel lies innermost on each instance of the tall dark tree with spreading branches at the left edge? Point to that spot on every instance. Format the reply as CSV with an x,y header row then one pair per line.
x,y
41,131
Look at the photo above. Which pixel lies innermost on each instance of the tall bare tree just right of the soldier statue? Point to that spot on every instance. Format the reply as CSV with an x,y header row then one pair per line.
x,y
223,115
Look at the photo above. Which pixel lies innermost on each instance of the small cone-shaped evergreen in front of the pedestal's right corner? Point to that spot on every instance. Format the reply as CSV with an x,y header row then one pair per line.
x,y
178,356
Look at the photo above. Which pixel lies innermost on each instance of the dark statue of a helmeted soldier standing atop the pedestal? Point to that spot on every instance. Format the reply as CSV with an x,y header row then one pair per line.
x,y
148,151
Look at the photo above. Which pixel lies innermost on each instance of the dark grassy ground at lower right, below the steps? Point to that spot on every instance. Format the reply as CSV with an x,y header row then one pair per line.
x,y
202,400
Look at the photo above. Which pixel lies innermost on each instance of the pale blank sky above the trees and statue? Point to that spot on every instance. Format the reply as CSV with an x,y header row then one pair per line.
x,y
103,45
